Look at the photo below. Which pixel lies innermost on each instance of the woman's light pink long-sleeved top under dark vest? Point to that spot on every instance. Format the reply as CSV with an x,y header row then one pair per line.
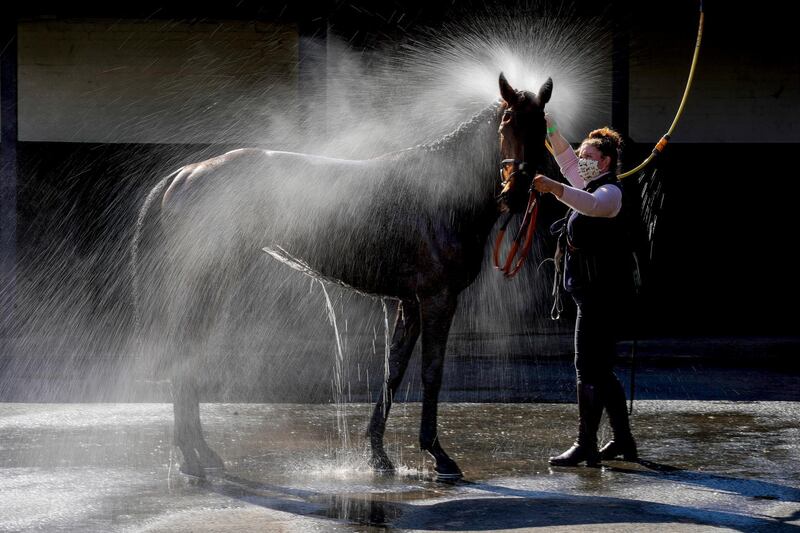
x,y
606,201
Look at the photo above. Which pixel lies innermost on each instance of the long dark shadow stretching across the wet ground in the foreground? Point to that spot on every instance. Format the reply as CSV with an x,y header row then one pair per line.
x,y
511,508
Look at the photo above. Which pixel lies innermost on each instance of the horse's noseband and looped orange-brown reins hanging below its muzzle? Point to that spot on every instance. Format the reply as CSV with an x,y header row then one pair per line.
x,y
528,226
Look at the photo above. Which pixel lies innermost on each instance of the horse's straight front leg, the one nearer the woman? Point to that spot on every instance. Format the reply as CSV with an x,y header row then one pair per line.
x,y
437,316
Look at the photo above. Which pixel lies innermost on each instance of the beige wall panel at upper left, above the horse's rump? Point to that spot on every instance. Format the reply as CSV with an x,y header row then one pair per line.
x,y
152,81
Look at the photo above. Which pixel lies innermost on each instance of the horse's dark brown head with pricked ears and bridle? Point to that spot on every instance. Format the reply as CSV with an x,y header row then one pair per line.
x,y
522,132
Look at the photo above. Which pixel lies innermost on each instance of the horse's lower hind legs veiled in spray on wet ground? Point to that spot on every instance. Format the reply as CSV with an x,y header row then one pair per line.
x,y
188,432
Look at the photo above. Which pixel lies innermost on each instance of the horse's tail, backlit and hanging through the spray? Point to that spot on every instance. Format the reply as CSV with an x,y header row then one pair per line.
x,y
146,232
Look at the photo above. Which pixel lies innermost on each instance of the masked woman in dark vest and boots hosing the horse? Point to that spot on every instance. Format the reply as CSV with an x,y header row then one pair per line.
x,y
597,276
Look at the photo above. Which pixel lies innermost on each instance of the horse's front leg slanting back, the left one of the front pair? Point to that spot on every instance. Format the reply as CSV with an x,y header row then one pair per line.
x,y
406,332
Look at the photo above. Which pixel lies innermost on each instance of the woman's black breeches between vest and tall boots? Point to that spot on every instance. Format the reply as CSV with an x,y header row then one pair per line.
x,y
596,330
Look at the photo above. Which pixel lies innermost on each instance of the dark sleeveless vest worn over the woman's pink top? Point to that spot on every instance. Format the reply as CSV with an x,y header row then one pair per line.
x,y
597,252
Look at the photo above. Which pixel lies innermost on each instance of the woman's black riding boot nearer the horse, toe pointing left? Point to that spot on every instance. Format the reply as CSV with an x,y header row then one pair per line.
x,y
590,409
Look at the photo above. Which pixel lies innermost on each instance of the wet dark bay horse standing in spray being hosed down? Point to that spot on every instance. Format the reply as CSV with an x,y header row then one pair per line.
x,y
410,225
